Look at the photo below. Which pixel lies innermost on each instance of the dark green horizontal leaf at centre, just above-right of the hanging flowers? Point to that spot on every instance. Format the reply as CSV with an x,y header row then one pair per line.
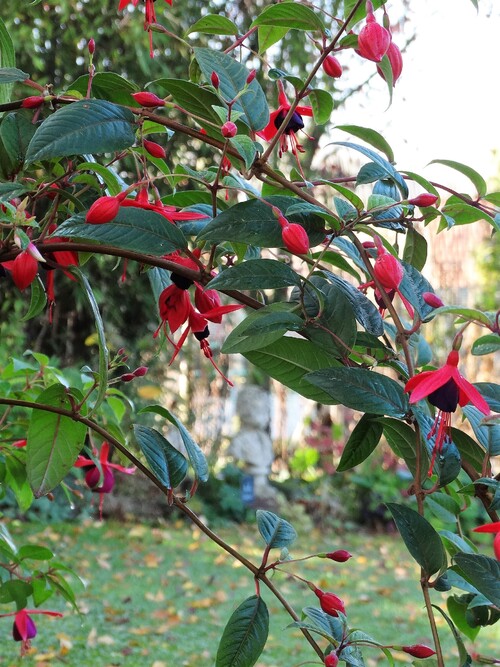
x,y
256,274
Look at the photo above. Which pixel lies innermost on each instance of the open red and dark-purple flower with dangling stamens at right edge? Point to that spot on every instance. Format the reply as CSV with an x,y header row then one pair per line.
x,y
444,388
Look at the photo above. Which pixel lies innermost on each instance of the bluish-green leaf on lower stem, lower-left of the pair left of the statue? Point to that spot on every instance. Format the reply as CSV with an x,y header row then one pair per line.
x,y
167,463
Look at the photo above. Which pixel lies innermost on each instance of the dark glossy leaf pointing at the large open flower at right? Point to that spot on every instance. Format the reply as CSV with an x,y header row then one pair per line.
x,y
363,390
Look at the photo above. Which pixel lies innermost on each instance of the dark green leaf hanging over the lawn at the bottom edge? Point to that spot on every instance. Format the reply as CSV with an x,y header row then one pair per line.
x,y
245,635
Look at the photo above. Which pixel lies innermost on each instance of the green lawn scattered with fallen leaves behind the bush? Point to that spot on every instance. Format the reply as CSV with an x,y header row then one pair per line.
x,y
158,597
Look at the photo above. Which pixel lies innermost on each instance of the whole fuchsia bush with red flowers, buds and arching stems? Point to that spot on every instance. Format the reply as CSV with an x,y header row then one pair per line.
x,y
339,337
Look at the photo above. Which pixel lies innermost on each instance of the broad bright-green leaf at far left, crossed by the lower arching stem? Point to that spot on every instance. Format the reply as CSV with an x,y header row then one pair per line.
x,y
54,442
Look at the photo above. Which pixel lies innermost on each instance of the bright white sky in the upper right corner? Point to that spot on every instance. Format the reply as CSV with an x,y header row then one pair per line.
x,y
446,103
